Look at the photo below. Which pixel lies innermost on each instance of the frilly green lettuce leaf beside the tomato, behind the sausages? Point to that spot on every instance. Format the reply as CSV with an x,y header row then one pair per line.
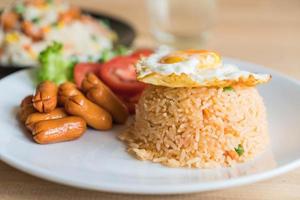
x,y
53,66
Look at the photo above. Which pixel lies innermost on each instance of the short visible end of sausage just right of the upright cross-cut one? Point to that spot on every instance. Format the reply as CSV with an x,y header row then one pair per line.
x,y
65,91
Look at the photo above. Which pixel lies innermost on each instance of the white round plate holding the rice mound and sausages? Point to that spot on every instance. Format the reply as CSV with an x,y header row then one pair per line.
x,y
98,160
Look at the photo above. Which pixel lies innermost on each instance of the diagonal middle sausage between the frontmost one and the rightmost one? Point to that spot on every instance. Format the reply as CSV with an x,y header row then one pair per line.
x,y
94,115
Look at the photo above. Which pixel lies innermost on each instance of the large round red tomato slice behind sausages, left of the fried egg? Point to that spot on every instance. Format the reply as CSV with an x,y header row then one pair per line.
x,y
120,76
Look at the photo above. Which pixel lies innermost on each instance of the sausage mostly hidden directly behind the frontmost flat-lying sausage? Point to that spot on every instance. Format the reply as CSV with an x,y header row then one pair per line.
x,y
37,117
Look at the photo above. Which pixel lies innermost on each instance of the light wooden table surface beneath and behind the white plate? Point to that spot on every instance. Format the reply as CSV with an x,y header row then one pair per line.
x,y
261,31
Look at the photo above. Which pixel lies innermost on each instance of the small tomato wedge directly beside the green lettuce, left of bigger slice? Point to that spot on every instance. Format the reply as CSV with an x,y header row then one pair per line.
x,y
81,69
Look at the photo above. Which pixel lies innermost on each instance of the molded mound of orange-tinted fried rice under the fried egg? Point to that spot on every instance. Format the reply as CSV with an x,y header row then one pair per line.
x,y
198,127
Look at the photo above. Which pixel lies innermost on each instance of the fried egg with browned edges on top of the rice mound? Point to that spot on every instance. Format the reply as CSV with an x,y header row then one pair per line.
x,y
193,68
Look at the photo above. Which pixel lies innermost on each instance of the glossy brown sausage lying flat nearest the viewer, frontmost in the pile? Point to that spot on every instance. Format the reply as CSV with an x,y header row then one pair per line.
x,y
58,130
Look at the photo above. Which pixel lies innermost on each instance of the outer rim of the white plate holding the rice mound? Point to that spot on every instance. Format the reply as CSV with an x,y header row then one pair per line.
x,y
162,189
